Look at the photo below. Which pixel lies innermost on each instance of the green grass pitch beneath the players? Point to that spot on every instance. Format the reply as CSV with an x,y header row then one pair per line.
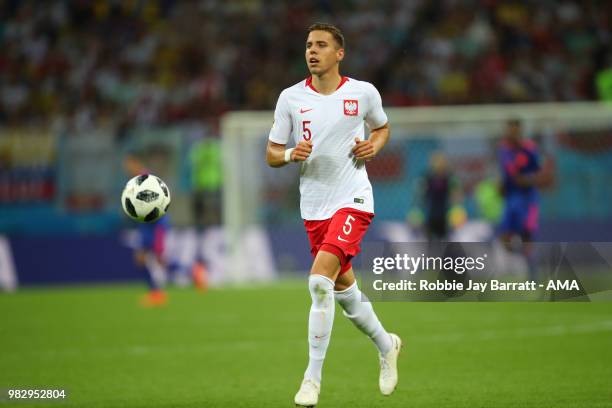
x,y
248,347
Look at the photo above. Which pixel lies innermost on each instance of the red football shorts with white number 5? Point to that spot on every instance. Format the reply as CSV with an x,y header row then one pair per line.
x,y
340,235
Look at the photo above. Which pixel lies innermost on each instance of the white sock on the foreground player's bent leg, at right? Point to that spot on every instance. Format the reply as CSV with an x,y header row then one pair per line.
x,y
359,310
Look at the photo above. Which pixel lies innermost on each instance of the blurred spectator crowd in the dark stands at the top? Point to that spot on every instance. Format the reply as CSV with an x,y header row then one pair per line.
x,y
130,62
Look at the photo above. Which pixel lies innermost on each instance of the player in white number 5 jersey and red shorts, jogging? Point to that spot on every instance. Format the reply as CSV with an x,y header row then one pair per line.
x,y
323,118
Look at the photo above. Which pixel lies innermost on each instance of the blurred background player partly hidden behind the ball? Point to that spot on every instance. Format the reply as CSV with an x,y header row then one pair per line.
x,y
149,253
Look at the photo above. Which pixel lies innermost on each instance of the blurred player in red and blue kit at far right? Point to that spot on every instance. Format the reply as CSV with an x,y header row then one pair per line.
x,y
520,165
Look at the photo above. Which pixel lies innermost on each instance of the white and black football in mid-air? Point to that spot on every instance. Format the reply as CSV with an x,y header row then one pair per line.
x,y
145,198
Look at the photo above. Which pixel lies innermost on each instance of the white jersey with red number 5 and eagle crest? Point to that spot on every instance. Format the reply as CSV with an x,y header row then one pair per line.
x,y
330,178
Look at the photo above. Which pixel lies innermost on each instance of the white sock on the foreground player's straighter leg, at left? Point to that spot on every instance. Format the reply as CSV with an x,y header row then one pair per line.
x,y
320,323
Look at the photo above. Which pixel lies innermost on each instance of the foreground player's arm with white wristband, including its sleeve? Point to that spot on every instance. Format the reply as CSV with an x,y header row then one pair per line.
x,y
277,154
